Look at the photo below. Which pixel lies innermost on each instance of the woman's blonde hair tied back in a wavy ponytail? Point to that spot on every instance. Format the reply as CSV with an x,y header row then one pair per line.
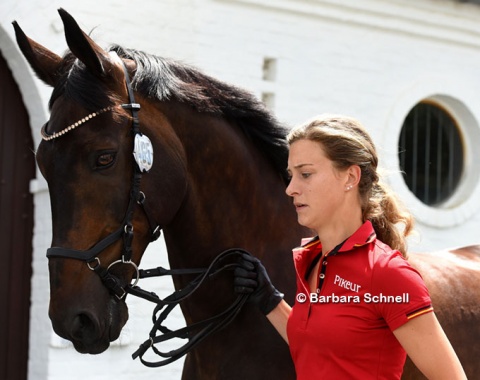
x,y
346,143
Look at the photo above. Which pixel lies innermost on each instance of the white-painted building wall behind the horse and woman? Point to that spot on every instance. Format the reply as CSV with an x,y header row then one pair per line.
x,y
376,60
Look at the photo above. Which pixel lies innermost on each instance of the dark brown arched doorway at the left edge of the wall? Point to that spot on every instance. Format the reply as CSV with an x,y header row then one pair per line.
x,y
17,168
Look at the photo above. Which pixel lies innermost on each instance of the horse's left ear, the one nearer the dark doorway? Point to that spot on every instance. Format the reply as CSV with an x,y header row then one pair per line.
x,y
44,62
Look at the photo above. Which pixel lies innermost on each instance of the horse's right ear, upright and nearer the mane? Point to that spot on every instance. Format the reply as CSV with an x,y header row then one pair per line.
x,y
83,47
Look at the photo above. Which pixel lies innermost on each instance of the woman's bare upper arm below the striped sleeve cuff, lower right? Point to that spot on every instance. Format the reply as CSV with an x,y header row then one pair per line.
x,y
429,348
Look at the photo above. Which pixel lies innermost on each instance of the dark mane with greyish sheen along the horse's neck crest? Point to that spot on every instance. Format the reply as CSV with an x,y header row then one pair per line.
x,y
165,79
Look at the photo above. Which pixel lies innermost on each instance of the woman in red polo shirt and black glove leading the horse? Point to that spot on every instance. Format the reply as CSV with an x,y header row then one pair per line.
x,y
360,307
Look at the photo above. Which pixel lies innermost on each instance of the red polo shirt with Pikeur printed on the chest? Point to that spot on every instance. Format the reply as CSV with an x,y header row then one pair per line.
x,y
344,330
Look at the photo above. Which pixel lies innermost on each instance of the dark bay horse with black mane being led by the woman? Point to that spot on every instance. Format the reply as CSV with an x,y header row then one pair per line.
x,y
217,180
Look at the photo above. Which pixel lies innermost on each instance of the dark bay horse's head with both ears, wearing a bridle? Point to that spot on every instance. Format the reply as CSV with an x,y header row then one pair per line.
x,y
94,184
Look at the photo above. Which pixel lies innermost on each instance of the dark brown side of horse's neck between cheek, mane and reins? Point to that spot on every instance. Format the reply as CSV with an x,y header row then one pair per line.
x,y
234,197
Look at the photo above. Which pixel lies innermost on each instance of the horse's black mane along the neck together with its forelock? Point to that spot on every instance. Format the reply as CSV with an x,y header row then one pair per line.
x,y
164,79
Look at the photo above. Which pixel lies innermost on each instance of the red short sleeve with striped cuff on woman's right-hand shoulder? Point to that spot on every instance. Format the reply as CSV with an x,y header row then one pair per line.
x,y
401,291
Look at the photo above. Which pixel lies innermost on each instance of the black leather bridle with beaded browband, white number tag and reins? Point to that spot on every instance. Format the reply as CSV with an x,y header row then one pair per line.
x,y
195,333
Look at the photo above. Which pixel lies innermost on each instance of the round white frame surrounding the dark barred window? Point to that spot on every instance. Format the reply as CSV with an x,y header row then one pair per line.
x,y
465,202
